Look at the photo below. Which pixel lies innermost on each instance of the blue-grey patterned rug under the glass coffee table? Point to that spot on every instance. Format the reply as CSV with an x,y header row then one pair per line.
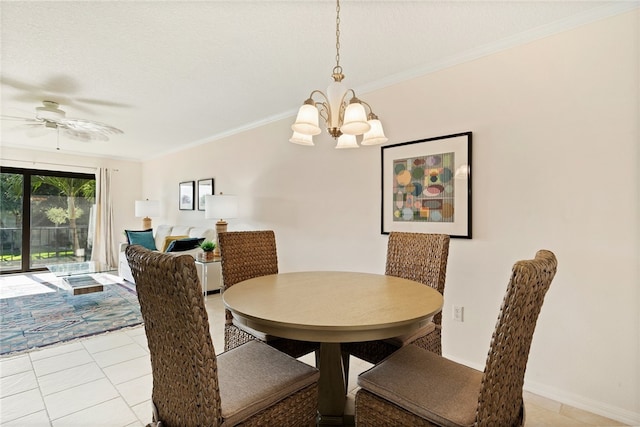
x,y
36,311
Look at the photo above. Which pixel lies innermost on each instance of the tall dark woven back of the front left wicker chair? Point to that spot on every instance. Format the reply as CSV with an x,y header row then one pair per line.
x,y
183,360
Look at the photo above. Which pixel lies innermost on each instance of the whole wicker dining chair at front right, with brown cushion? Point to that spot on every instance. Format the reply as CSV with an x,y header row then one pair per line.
x,y
414,387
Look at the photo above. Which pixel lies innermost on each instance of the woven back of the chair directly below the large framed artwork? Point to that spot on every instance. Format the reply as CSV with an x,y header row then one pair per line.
x,y
421,257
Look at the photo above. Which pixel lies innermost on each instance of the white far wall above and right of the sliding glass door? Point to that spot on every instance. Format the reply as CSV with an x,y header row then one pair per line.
x,y
126,179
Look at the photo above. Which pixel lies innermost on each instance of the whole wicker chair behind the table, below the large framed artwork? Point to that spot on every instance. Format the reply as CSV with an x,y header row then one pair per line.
x,y
415,256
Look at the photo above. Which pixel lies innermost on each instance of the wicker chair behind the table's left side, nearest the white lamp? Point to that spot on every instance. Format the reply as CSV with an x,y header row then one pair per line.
x,y
245,255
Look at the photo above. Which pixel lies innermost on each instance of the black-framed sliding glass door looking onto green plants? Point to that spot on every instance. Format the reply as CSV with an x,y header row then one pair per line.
x,y
46,218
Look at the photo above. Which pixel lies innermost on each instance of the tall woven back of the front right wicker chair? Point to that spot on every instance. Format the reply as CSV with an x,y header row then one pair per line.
x,y
500,401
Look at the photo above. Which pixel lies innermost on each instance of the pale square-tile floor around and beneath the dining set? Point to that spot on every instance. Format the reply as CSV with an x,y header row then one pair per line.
x,y
106,381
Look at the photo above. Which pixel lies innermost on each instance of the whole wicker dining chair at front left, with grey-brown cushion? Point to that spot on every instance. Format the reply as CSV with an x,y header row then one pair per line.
x,y
253,384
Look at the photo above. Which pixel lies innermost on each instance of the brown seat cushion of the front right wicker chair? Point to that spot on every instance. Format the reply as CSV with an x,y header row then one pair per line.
x,y
430,386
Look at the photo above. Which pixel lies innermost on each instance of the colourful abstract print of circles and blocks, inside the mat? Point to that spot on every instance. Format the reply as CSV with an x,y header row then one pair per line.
x,y
423,188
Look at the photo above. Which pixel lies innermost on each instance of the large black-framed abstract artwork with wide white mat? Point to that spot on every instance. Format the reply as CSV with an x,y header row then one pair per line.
x,y
426,186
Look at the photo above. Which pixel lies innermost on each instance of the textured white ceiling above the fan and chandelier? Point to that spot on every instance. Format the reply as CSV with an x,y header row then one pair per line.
x,y
175,73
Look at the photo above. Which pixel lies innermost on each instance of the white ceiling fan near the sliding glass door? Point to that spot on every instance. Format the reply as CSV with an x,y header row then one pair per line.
x,y
51,116
